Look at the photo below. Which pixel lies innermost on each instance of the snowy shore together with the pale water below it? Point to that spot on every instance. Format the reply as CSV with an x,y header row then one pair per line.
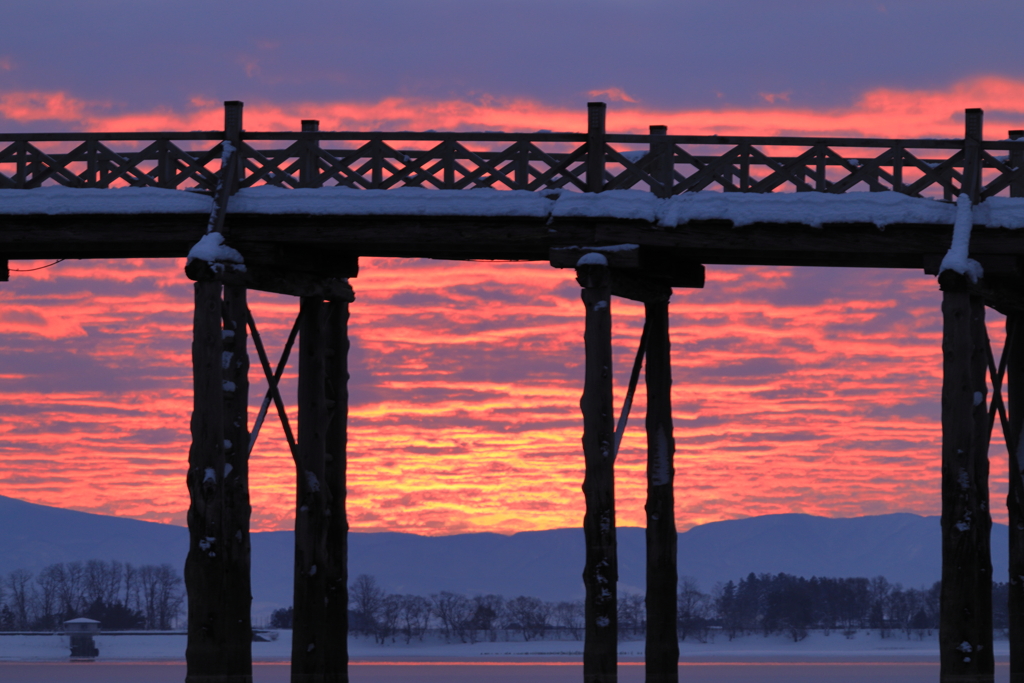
x,y
155,659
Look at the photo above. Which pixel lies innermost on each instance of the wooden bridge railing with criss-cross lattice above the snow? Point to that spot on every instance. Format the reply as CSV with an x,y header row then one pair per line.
x,y
660,163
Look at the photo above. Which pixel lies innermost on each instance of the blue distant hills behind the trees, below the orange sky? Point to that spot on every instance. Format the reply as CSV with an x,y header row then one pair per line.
x,y
904,548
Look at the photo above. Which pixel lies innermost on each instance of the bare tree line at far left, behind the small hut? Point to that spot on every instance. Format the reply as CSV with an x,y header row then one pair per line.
x,y
121,595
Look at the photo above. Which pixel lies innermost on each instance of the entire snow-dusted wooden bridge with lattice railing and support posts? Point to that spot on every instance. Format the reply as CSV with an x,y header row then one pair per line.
x,y
291,212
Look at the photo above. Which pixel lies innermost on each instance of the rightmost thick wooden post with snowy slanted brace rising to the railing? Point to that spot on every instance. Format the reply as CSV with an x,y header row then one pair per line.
x,y
966,607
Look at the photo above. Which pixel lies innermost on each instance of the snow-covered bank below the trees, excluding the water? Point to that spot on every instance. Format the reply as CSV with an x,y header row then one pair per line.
x,y
818,648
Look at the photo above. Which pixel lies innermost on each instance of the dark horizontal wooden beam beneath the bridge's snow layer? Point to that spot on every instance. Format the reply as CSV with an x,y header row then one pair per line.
x,y
710,242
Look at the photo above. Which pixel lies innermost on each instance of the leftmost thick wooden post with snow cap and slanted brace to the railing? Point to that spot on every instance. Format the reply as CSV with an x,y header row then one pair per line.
x,y
218,569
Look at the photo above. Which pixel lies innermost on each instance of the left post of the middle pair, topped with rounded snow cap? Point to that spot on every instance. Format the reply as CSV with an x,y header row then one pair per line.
x,y
602,572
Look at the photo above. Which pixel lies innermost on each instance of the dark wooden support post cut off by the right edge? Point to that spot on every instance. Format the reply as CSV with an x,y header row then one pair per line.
x,y
1015,499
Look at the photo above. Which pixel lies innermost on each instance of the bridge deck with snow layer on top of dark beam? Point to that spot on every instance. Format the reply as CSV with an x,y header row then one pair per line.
x,y
879,230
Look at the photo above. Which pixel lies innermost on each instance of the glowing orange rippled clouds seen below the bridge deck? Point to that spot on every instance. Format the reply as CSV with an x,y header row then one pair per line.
x,y
794,393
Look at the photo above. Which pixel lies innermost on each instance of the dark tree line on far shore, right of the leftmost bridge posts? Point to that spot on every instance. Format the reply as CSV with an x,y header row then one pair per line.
x,y
760,604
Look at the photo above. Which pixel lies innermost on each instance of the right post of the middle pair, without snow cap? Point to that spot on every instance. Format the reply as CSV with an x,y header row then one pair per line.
x,y
663,641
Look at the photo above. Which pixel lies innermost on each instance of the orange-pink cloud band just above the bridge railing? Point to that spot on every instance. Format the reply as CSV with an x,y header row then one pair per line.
x,y
882,112
